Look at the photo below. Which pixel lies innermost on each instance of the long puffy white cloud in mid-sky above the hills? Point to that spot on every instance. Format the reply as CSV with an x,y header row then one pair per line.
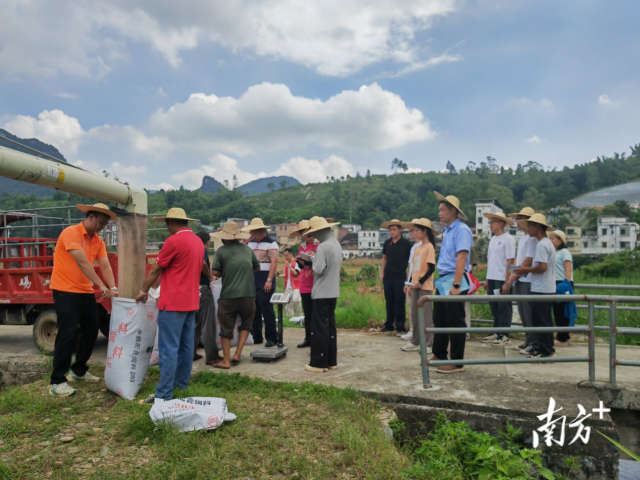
x,y
268,116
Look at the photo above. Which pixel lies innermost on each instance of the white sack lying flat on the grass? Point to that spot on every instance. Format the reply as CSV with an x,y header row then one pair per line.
x,y
193,413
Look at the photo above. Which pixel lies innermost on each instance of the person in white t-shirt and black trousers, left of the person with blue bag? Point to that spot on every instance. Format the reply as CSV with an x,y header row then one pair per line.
x,y
543,282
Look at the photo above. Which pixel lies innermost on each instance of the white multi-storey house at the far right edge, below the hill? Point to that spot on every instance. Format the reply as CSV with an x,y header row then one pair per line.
x,y
613,234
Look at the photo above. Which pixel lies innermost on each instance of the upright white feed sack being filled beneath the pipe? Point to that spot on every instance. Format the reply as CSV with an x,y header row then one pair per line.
x,y
131,335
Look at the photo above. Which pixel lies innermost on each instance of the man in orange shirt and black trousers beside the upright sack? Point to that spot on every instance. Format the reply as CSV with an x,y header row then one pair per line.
x,y
72,283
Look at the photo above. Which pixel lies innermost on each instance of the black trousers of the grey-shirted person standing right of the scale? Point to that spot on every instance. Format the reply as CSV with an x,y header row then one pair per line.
x,y
324,341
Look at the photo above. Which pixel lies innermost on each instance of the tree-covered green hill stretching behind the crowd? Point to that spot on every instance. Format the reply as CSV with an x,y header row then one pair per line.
x,y
372,199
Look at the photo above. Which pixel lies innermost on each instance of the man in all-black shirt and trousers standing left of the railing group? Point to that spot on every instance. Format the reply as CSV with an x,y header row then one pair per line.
x,y
395,258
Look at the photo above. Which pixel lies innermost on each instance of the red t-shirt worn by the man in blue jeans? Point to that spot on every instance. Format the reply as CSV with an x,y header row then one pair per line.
x,y
181,260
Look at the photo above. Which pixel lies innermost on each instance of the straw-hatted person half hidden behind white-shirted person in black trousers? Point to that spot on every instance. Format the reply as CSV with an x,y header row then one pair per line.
x,y
522,284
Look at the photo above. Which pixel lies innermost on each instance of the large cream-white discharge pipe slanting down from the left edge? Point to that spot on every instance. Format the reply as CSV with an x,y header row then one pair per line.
x,y
62,176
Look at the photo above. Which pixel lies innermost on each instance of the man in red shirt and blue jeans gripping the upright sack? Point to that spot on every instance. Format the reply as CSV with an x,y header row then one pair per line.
x,y
179,264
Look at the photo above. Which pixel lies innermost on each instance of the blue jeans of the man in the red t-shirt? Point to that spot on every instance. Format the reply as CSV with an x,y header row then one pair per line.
x,y
175,346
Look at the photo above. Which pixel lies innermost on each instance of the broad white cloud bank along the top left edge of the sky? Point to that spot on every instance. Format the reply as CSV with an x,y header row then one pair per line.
x,y
332,37
